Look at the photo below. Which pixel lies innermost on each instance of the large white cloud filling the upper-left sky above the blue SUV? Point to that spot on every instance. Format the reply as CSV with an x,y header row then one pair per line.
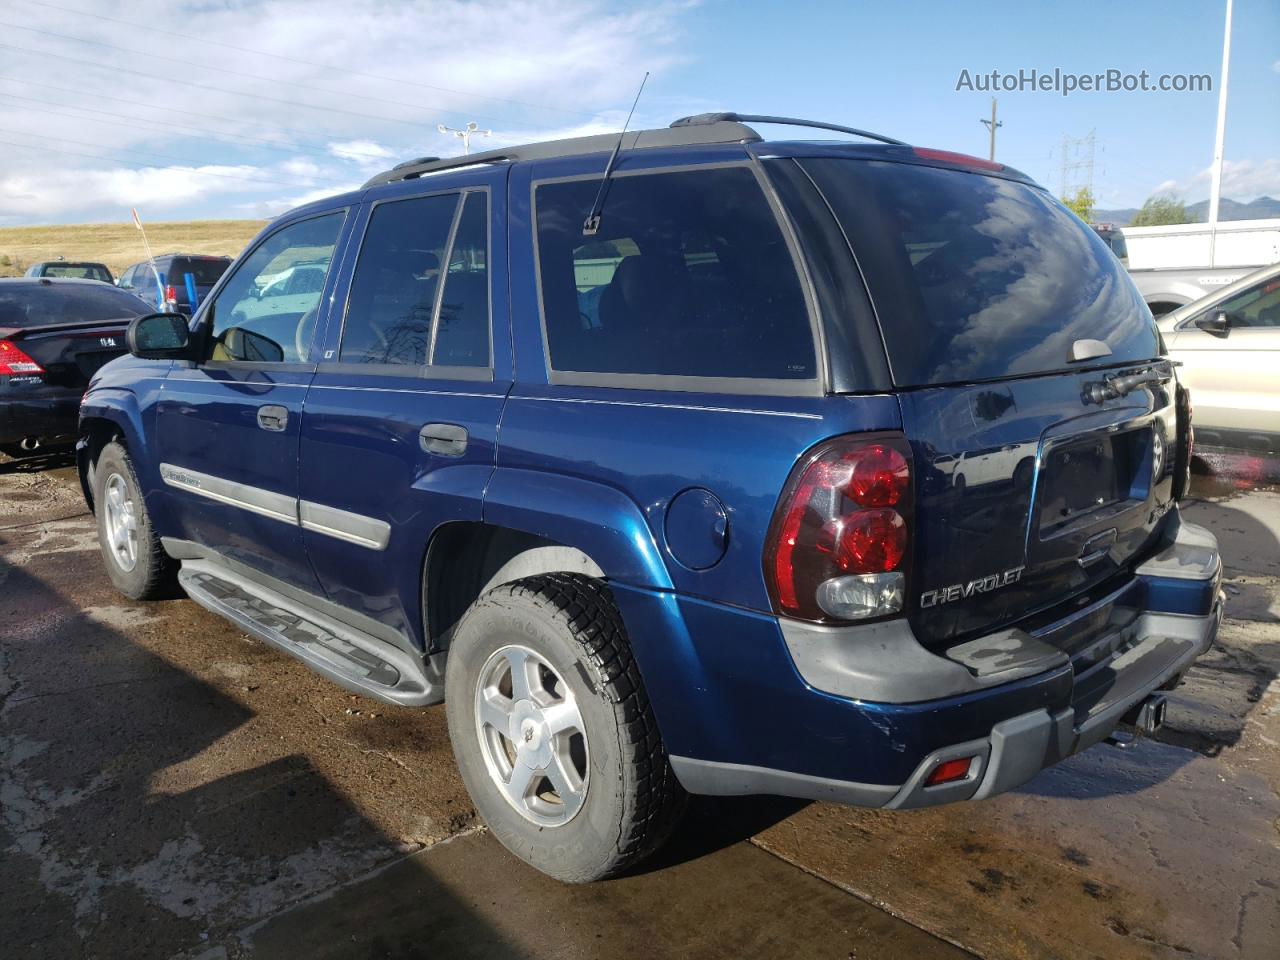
x,y
354,86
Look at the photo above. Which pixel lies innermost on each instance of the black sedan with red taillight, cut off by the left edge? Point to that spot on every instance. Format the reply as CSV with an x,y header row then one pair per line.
x,y
54,336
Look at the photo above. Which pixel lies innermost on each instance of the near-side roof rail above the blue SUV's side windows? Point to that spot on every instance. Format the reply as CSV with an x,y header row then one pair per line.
x,y
676,135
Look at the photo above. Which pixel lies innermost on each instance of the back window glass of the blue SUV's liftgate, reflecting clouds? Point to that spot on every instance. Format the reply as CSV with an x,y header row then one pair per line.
x,y
980,278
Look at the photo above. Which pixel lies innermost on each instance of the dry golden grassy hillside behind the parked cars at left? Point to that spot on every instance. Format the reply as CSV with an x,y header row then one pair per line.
x,y
118,245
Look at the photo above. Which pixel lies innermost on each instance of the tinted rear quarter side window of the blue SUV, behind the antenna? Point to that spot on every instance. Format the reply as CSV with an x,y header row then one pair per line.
x,y
689,276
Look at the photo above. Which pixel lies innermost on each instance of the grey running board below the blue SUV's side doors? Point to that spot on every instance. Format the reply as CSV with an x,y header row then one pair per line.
x,y
346,656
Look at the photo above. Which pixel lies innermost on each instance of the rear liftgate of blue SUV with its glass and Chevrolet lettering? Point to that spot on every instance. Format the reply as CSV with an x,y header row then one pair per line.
x,y
1035,483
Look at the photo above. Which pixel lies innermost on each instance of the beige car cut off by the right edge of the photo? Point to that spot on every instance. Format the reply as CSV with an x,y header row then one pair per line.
x,y
1229,346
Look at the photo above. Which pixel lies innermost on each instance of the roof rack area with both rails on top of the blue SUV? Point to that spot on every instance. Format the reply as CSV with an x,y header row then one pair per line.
x,y
688,131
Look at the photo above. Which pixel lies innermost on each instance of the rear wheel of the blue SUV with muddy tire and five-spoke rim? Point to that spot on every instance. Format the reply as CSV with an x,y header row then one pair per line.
x,y
554,733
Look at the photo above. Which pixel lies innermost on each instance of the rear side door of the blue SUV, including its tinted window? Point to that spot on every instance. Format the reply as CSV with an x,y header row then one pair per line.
x,y
403,417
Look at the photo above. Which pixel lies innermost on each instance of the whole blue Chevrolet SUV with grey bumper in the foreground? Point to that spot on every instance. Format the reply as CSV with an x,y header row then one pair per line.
x,y
683,463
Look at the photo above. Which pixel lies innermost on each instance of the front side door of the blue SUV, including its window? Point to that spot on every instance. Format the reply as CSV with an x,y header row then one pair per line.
x,y
228,428
